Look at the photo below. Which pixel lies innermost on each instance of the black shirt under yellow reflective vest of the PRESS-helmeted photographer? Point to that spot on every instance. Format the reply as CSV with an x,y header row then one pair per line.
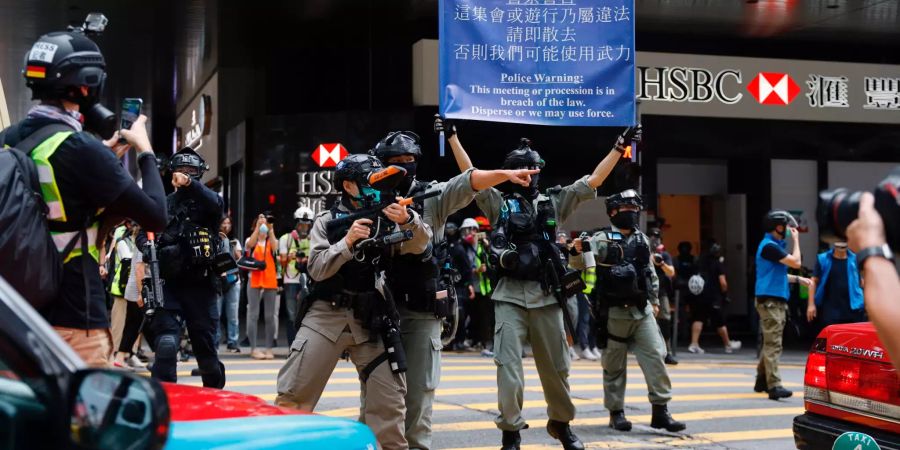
x,y
89,177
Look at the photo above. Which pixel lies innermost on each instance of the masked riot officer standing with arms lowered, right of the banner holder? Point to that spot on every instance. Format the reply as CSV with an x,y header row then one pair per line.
x,y
628,286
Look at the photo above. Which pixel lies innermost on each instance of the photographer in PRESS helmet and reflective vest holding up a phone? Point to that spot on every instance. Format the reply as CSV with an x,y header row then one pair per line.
x,y
85,184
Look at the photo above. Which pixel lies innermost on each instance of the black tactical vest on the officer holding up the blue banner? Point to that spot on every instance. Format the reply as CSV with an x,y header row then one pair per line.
x,y
528,229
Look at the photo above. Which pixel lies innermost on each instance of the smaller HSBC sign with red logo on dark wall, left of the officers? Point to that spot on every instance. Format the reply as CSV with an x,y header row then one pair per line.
x,y
316,188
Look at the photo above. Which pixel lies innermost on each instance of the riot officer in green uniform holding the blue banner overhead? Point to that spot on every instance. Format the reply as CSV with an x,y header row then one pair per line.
x,y
526,309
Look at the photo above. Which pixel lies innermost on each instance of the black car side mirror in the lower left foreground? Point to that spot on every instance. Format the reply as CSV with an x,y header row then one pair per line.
x,y
108,408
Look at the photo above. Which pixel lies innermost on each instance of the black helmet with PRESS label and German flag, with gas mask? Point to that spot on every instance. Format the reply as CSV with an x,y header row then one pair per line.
x,y
67,65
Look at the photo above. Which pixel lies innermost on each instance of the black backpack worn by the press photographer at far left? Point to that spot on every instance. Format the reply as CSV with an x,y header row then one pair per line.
x,y
31,263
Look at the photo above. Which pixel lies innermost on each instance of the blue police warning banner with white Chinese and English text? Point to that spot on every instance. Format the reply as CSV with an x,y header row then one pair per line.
x,y
550,62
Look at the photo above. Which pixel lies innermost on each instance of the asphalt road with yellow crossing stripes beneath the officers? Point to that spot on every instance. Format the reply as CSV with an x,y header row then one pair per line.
x,y
713,394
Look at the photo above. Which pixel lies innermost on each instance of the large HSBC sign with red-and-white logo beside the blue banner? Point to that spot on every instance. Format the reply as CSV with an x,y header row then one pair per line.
x,y
757,88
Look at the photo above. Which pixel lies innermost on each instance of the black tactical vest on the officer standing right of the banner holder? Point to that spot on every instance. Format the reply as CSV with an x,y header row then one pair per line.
x,y
623,275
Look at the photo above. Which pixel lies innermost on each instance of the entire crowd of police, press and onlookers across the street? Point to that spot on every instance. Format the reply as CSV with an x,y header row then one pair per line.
x,y
376,277
